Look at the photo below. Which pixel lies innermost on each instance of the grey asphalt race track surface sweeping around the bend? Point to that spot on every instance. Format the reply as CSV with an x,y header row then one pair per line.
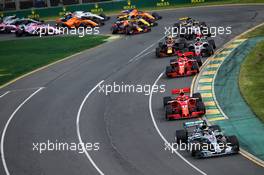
x,y
120,122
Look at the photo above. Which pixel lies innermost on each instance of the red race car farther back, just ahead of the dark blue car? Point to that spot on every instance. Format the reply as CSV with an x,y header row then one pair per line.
x,y
185,65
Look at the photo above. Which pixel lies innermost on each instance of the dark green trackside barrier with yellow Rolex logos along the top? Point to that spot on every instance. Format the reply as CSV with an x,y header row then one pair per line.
x,y
102,7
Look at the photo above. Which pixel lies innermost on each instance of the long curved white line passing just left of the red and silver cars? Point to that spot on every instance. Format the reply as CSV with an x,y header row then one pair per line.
x,y
163,138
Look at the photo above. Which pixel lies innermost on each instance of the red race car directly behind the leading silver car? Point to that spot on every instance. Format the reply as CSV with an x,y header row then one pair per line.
x,y
183,106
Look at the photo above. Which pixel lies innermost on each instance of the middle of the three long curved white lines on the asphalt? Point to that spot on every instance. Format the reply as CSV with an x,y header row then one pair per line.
x,y
78,129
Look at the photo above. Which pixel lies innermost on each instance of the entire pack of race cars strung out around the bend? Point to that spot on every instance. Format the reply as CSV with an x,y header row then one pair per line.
x,y
188,50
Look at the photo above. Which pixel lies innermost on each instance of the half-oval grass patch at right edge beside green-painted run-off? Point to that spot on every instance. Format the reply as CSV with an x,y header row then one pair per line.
x,y
251,80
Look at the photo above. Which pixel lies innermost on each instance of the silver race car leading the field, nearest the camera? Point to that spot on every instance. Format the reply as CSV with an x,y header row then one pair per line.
x,y
207,141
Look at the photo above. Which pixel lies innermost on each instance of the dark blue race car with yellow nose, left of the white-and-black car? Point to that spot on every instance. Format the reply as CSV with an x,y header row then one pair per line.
x,y
170,47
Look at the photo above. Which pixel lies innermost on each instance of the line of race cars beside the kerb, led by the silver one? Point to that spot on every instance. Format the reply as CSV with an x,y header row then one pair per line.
x,y
188,50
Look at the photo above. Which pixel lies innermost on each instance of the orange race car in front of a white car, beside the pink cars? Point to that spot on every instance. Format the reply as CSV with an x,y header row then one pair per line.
x,y
76,22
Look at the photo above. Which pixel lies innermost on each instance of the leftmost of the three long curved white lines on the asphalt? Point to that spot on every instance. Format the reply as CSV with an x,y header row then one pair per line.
x,y
6,126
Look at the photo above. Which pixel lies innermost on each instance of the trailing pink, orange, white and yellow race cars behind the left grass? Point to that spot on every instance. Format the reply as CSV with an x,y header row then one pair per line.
x,y
129,22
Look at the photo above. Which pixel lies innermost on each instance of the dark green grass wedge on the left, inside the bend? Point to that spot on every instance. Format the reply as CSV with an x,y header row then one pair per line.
x,y
22,56
